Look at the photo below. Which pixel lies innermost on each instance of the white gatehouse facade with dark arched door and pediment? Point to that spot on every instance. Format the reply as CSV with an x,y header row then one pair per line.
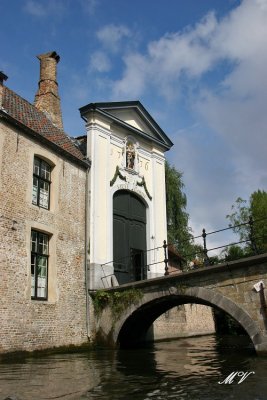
x,y
127,212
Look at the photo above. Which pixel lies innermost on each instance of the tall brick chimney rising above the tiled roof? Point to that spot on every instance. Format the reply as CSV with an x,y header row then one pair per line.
x,y
47,98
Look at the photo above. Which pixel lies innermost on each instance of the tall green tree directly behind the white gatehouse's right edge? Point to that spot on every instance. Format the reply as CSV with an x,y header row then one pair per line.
x,y
179,233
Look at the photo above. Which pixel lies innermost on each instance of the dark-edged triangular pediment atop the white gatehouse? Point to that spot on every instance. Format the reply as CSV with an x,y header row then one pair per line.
x,y
133,115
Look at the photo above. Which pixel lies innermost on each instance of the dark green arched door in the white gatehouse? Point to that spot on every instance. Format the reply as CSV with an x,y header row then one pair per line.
x,y
129,237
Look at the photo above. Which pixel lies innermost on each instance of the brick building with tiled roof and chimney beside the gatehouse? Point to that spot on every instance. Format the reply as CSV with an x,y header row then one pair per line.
x,y
42,213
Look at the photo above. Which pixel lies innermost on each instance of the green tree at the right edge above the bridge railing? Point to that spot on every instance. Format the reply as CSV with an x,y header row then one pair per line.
x,y
255,211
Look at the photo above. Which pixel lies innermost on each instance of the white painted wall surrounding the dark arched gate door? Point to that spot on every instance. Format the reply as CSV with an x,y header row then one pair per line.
x,y
106,149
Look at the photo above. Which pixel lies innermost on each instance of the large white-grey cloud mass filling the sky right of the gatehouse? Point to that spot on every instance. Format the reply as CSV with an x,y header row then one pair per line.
x,y
231,54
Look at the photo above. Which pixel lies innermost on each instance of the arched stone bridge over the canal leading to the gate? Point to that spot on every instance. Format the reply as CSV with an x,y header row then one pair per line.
x,y
228,287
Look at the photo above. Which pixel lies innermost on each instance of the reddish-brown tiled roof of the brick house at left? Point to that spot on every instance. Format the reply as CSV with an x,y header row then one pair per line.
x,y
28,115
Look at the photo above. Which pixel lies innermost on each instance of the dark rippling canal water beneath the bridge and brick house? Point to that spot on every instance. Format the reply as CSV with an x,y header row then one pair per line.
x,y
188,368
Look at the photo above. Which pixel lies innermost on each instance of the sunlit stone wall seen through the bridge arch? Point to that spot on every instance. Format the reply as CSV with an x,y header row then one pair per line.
x,y
182,321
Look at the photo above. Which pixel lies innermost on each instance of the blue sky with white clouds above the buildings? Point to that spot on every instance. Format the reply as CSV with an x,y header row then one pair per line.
x,y
197,66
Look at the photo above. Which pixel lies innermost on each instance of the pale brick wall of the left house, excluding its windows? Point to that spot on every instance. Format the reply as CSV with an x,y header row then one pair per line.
x,y
28,324
